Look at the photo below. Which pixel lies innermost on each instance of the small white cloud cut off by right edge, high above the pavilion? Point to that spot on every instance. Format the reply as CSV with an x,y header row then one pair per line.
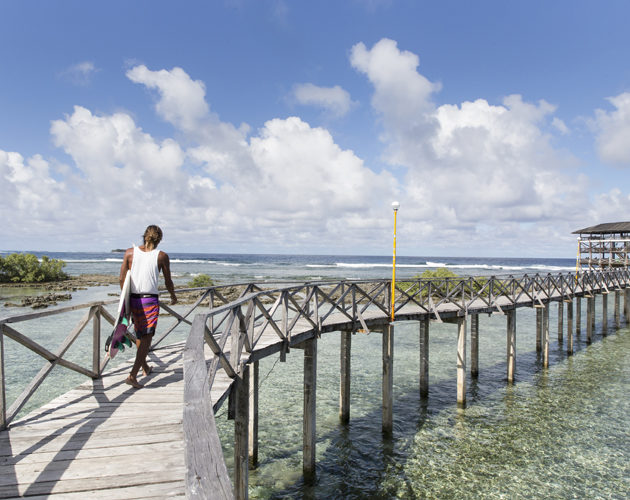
x,y
613,140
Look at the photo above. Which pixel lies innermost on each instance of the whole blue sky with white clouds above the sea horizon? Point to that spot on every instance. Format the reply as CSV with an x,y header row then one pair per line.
x,y
290,126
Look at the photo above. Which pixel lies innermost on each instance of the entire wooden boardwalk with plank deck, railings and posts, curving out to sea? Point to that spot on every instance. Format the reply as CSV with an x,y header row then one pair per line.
x,y
105,439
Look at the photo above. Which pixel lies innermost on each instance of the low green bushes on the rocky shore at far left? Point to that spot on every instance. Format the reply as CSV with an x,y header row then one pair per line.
x,y
26,268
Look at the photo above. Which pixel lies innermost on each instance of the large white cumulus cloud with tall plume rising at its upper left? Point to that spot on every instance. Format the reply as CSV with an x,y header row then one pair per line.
x,y
469,166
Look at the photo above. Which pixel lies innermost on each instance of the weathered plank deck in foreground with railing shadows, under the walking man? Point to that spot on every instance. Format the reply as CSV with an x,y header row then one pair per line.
x,y
103,439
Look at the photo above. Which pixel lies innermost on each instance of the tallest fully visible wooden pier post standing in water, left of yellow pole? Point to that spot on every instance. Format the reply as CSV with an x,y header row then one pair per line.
x,y
310,400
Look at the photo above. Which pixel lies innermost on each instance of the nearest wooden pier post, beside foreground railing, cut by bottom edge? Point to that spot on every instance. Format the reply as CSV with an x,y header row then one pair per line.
x,y
241,439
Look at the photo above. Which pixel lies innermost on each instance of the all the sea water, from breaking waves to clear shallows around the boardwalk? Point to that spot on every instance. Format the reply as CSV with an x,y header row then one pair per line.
x,y
563,432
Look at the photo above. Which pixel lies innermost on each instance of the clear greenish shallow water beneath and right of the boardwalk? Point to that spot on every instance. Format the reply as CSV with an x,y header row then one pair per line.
x,y
556,433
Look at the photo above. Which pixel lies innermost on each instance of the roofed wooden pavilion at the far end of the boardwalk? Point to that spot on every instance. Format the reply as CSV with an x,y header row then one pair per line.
x,y
604,246
